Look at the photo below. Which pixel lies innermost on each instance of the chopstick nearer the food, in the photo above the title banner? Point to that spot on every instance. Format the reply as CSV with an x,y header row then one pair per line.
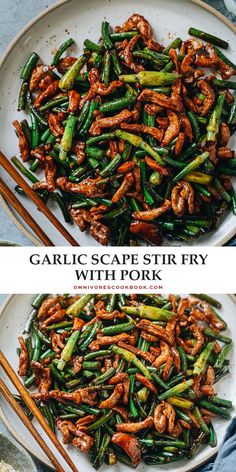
x,y
35,198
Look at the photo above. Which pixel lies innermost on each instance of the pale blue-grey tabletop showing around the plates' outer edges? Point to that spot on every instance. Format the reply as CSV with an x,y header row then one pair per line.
x,y
14,14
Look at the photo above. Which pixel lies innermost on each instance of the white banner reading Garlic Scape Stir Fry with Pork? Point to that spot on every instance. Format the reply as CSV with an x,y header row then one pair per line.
x,y
123,269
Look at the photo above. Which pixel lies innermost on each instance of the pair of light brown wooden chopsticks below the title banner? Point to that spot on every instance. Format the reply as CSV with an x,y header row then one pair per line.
x,y
37,414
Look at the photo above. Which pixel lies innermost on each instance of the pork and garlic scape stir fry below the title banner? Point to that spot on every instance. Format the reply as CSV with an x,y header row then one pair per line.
x,y
128,378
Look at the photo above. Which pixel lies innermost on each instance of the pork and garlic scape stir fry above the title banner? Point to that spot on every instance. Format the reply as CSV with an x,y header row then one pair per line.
x,y
133,136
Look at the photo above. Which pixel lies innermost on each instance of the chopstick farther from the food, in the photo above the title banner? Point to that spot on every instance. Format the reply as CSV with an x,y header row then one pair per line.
x,y
10,197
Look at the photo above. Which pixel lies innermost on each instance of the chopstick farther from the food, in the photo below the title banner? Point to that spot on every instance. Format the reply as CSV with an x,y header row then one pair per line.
x,y
26,421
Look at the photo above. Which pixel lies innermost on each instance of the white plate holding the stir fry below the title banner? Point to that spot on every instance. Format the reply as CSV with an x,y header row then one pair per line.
x,y
12,320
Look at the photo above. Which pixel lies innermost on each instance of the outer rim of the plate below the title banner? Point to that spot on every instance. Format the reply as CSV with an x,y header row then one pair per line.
x,y
19,439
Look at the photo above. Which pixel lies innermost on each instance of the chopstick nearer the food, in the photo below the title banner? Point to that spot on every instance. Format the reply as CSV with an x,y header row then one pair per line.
x,y
36,412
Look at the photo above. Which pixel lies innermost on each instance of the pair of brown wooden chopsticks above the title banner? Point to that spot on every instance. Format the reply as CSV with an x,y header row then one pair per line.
x,y
7,193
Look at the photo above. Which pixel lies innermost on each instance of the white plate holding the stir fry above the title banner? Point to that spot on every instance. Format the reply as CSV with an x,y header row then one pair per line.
x,y
82,19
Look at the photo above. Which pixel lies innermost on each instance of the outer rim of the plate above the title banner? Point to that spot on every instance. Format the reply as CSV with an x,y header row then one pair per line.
x,y
4,56
